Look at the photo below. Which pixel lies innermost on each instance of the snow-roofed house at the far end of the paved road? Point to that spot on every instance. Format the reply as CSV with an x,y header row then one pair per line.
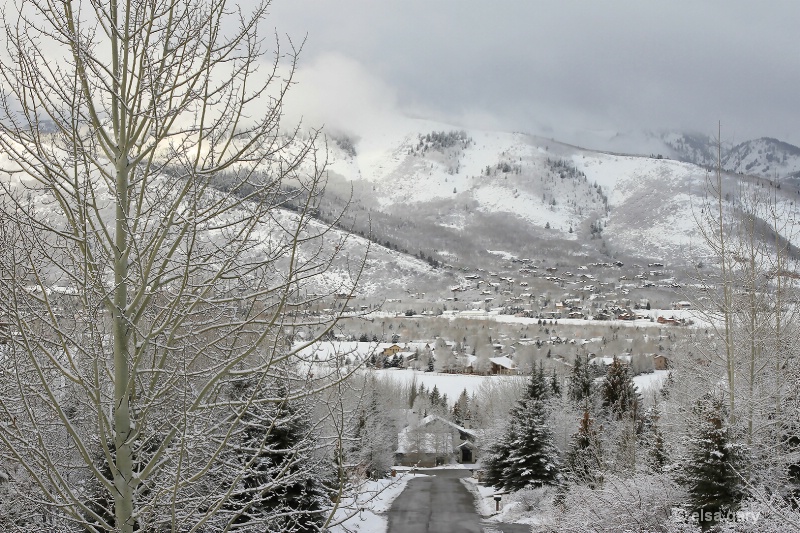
x,y
435,441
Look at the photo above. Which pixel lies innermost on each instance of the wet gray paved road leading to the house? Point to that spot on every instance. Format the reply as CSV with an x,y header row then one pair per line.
x,y
441,504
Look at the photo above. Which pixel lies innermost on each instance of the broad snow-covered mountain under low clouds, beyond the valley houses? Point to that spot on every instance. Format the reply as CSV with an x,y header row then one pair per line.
x,y
468,196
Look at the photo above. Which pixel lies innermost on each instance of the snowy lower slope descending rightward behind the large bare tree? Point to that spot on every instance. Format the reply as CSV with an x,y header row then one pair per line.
x,y
385,271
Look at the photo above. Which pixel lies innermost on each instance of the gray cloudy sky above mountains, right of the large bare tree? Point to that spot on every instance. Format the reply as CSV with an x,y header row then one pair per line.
x,y
576,71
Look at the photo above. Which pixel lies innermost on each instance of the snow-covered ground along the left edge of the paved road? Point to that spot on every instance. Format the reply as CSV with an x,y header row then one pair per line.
x,y
366,513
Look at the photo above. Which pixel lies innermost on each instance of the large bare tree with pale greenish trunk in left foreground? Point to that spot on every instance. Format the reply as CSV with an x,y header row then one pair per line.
x,y
158,247
